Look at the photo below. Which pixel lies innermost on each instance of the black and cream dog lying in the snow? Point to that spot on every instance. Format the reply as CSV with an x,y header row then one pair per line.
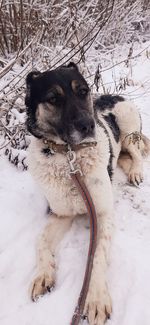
x,y
61,113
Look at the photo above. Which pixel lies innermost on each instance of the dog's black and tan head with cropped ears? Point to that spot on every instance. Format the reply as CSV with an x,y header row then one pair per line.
x,y
59,105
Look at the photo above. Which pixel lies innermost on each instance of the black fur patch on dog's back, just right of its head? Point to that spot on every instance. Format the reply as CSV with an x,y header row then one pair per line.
x,y
107,102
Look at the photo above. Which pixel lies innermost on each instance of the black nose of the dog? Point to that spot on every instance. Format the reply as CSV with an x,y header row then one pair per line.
x,y
86,126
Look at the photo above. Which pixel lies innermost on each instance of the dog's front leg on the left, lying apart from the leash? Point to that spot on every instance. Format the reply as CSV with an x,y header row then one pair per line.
x,y
48,242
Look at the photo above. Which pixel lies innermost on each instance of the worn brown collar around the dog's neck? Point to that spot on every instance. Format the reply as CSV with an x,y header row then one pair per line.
x,y
63,148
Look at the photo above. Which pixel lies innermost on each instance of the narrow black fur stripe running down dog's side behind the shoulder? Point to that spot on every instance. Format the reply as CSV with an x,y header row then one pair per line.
x,y
109,167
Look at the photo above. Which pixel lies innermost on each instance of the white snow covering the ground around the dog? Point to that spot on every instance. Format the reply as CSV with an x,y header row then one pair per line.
x,y
23,216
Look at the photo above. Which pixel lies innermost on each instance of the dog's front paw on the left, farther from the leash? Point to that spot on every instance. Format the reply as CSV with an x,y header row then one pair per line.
x,y
42,284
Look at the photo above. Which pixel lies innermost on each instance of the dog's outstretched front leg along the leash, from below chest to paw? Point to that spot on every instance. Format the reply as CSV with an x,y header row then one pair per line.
x,y
98,306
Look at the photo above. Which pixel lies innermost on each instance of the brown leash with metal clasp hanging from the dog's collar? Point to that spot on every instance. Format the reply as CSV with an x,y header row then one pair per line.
x,y
76,176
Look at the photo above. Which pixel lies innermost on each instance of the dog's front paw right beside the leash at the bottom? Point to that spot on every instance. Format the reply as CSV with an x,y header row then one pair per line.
x,y
98,307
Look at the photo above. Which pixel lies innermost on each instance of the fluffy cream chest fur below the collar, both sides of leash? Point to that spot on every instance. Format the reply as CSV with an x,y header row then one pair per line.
x,y
53,174
